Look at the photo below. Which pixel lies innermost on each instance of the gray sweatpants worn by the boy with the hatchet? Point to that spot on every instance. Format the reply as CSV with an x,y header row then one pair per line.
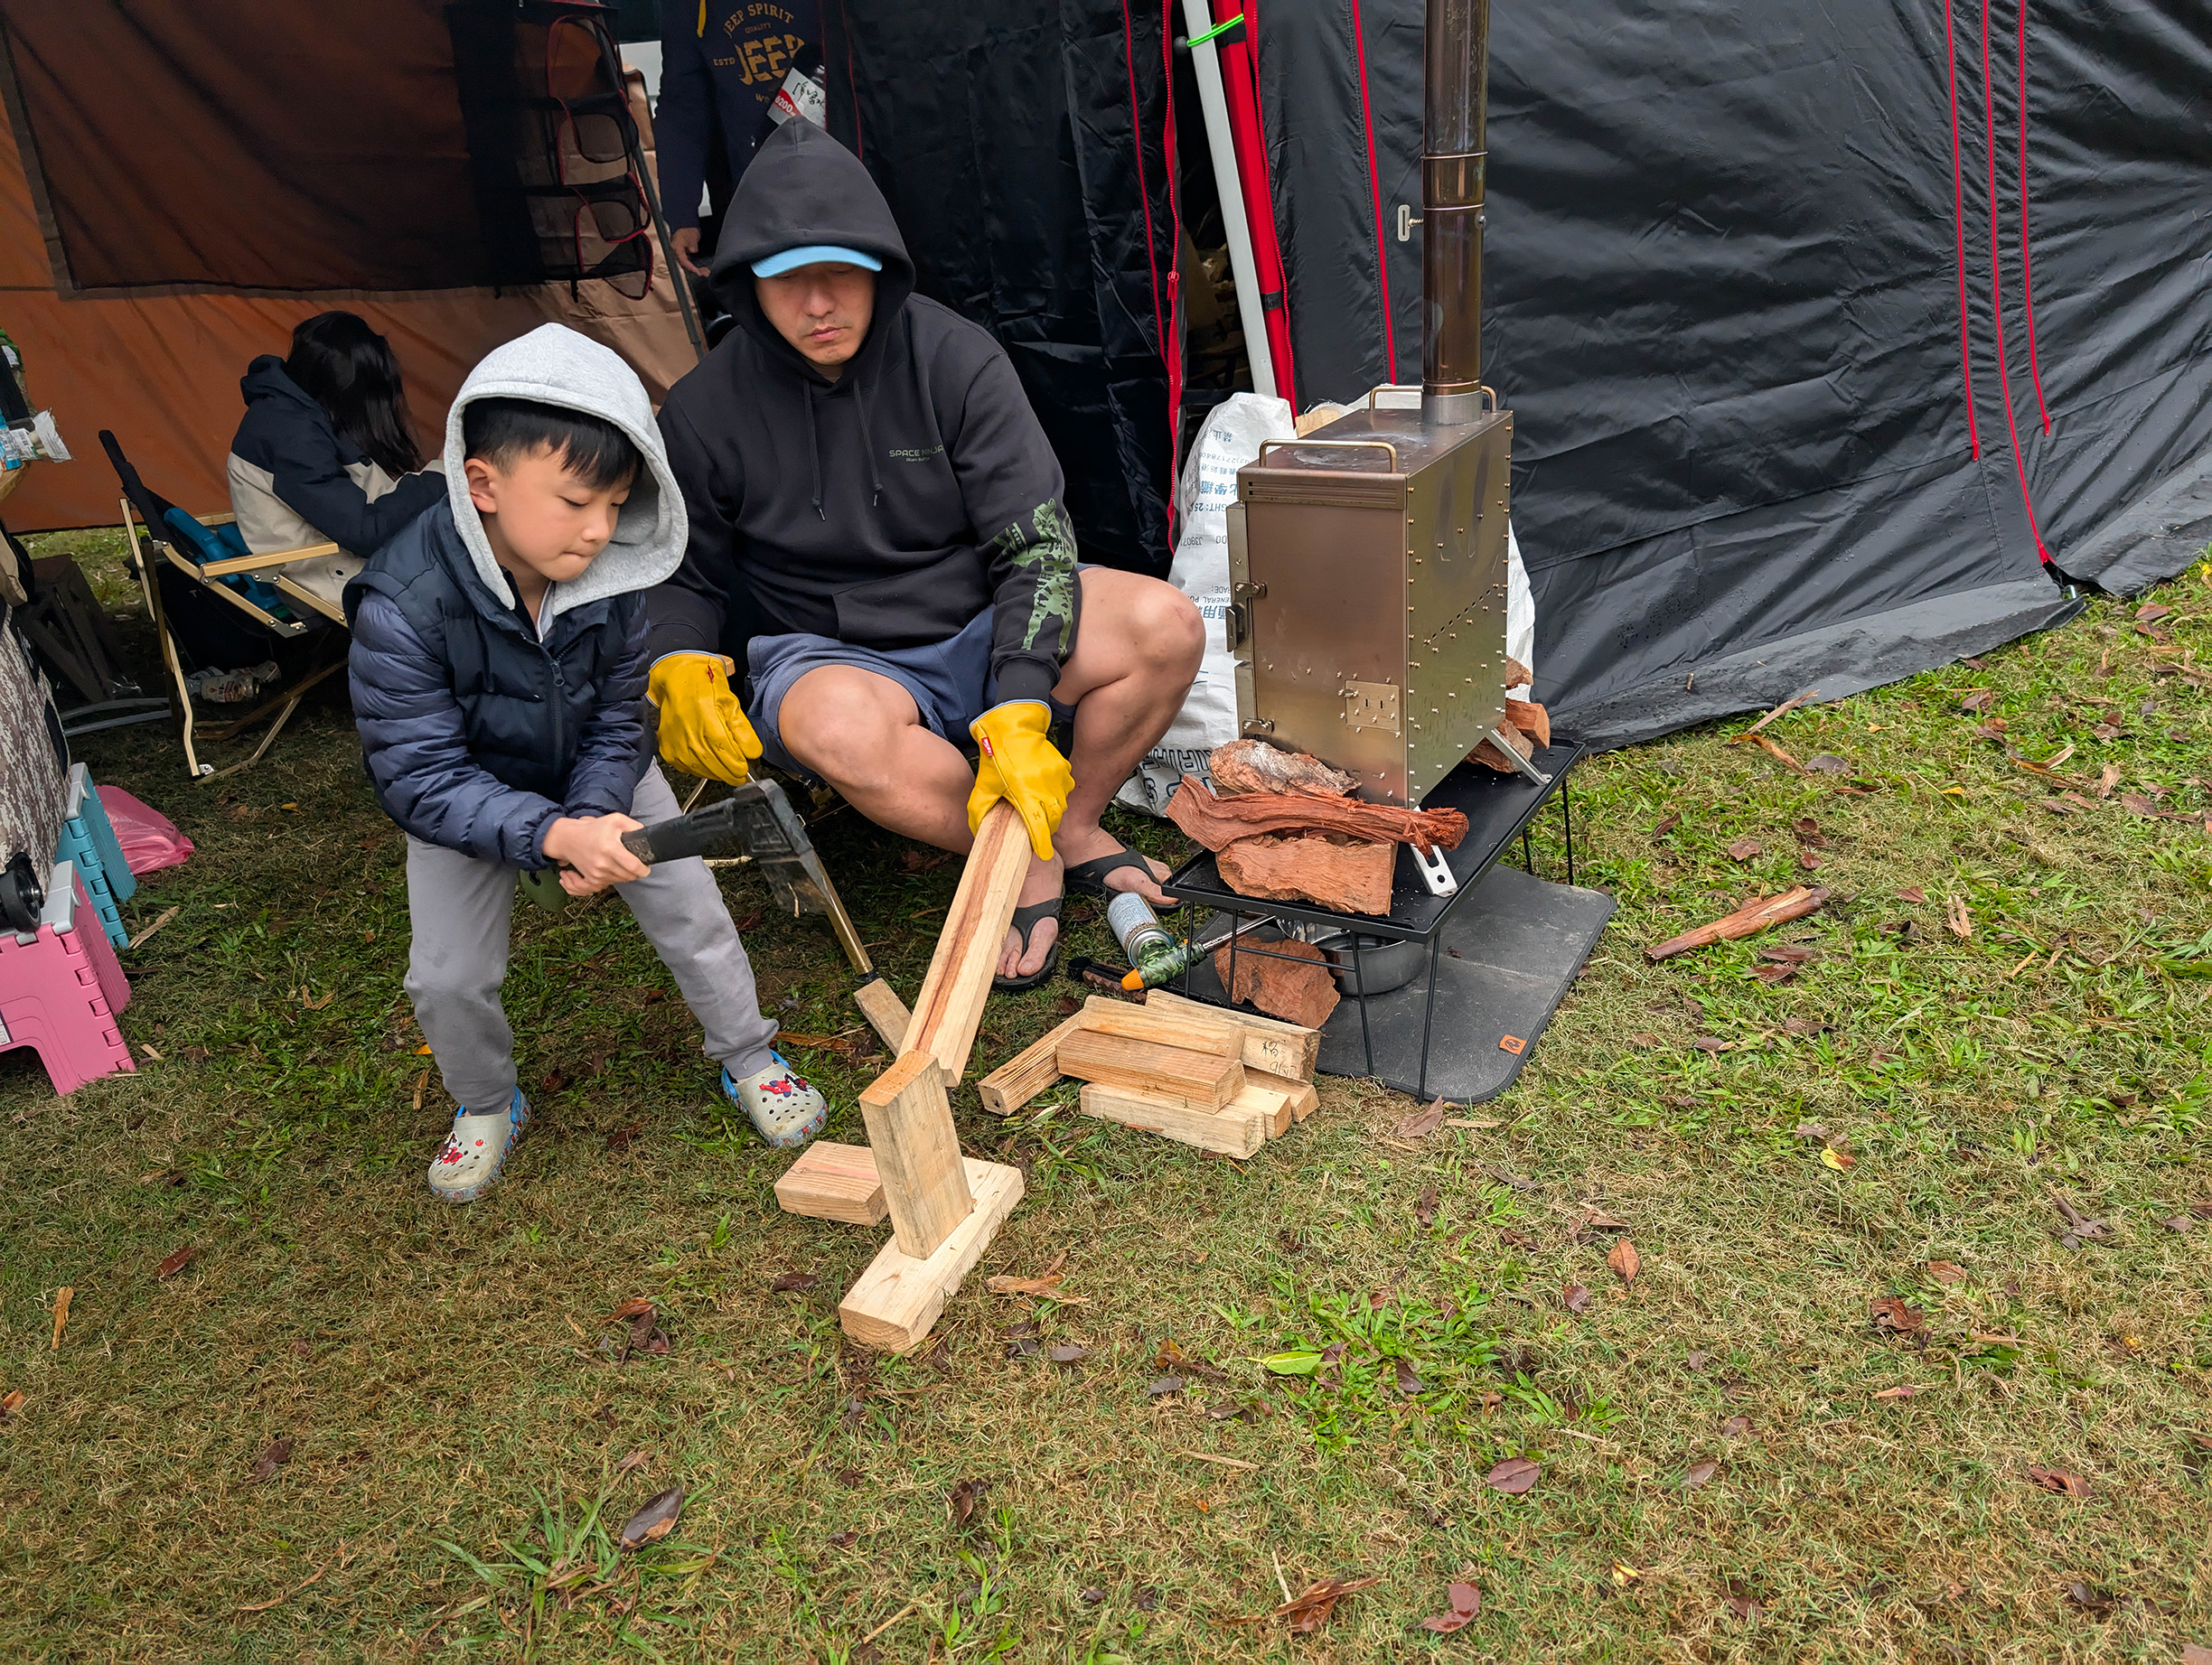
x,y
461,910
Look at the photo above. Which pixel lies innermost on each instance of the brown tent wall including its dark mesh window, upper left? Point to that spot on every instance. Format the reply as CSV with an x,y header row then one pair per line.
x,y
163,370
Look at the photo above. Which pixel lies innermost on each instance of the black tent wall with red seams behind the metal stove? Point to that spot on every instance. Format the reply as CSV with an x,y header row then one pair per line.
x,y
1740,291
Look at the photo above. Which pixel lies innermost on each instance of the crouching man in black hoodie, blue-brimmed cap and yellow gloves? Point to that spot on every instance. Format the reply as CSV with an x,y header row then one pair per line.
x,y
877,530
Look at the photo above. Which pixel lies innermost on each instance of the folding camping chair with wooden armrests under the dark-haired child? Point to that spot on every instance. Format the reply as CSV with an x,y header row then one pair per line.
x,y
209,554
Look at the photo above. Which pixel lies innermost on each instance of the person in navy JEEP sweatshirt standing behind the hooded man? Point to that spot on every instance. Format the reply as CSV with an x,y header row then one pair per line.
x,y
722,65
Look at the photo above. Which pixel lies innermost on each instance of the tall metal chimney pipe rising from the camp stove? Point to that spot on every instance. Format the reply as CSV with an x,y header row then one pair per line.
x,y
1454,98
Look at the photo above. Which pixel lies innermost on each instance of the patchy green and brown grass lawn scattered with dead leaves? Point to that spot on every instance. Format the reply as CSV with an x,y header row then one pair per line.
x,y
1729,1465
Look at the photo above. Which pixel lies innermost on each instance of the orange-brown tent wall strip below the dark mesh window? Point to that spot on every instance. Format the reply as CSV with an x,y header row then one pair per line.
x,y
163,370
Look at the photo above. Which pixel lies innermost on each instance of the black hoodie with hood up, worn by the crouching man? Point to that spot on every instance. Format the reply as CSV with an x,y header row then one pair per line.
x,y
886,507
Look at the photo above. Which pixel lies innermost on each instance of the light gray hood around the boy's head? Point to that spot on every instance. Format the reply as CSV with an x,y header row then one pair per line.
x,y
556,366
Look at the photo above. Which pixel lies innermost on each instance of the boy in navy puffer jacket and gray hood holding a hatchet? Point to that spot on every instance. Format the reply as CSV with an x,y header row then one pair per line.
x,y
499,673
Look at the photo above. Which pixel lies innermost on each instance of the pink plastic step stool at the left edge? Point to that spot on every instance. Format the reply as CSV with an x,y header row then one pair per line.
x,y
63,987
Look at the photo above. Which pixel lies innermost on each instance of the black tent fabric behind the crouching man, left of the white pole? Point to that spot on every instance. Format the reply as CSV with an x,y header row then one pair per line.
x,y
1025,158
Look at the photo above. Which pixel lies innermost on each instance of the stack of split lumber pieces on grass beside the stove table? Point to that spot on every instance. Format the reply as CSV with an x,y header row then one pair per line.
x,y
1193,1074
